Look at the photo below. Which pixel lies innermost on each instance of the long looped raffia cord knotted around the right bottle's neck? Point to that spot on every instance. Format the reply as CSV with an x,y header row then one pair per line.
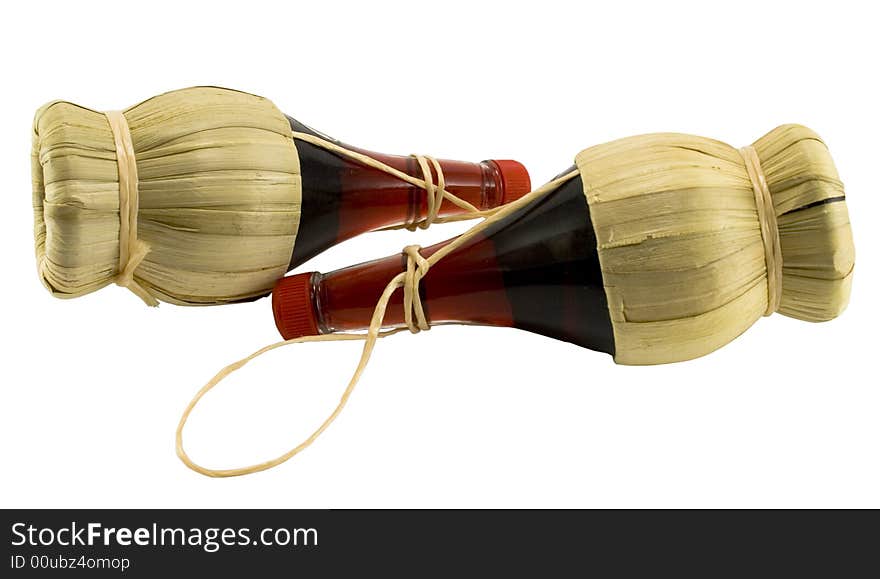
x,y
417,266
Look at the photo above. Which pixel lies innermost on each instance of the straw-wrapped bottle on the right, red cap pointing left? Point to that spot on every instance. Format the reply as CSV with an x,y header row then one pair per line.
x,y
658,248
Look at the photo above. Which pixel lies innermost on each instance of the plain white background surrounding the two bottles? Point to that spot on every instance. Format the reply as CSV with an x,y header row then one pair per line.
x,y
786,416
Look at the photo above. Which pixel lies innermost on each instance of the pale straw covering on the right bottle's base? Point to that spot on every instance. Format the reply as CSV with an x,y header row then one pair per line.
x,y
680,242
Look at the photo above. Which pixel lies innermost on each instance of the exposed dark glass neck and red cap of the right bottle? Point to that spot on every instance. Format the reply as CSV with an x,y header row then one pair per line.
x,y
537,269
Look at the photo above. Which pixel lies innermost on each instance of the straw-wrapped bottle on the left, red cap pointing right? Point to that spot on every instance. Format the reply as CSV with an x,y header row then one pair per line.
x,y
209,195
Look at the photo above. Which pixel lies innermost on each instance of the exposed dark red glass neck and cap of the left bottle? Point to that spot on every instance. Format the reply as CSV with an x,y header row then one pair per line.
x,y
343,198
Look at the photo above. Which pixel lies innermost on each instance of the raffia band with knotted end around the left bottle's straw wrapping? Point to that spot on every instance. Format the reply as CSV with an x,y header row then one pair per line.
x,y
132,250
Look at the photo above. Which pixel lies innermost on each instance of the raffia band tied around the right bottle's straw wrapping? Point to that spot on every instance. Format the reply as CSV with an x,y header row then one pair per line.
x,y
769,228
